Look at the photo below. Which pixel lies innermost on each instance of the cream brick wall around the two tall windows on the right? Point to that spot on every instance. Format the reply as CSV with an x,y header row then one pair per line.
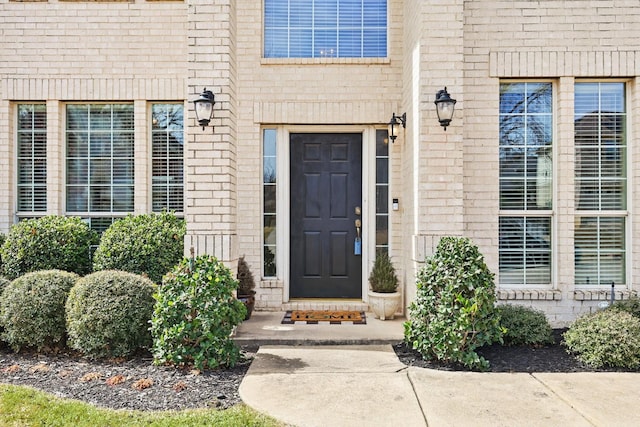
x,y
559,41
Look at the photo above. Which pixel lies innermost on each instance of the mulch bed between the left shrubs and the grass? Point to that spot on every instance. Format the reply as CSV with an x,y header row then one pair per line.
x,y
122,384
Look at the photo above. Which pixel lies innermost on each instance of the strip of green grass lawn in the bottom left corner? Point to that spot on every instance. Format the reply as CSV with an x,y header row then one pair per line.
x,y
24,406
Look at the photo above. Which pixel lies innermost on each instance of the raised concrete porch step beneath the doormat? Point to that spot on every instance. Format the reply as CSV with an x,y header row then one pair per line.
x,y
265,328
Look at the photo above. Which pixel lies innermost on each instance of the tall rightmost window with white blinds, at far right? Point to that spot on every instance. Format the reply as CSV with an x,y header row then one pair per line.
x,y
601,183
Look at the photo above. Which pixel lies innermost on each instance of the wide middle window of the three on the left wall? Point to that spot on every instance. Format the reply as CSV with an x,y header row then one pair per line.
x,y
100,159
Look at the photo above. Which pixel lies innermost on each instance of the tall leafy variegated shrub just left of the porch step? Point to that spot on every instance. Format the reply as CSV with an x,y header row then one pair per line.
x,y
194,315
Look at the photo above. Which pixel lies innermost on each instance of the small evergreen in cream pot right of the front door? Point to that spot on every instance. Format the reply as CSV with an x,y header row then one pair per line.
x,y
384,299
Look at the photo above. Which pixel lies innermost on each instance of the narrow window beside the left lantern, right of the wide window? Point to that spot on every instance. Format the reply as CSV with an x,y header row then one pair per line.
x,y
167,135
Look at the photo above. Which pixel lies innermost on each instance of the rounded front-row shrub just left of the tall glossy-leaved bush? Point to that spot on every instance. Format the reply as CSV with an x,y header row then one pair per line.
x,y
108,314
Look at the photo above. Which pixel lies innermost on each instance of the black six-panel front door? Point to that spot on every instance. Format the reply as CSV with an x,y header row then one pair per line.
x,y
326,192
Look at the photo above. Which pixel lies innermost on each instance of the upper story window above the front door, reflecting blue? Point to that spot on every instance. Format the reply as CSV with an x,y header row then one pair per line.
x,y
325,28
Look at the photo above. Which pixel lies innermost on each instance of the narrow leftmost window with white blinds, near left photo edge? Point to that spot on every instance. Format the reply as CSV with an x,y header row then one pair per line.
x,y
32,158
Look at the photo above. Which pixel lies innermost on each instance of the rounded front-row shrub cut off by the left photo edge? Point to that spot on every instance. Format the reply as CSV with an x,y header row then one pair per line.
x,y
32,309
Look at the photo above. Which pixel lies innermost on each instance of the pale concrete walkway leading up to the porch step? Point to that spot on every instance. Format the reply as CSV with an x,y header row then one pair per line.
x,y
366,385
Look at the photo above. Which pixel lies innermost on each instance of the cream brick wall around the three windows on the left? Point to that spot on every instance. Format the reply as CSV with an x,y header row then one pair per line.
x,y
85,51
